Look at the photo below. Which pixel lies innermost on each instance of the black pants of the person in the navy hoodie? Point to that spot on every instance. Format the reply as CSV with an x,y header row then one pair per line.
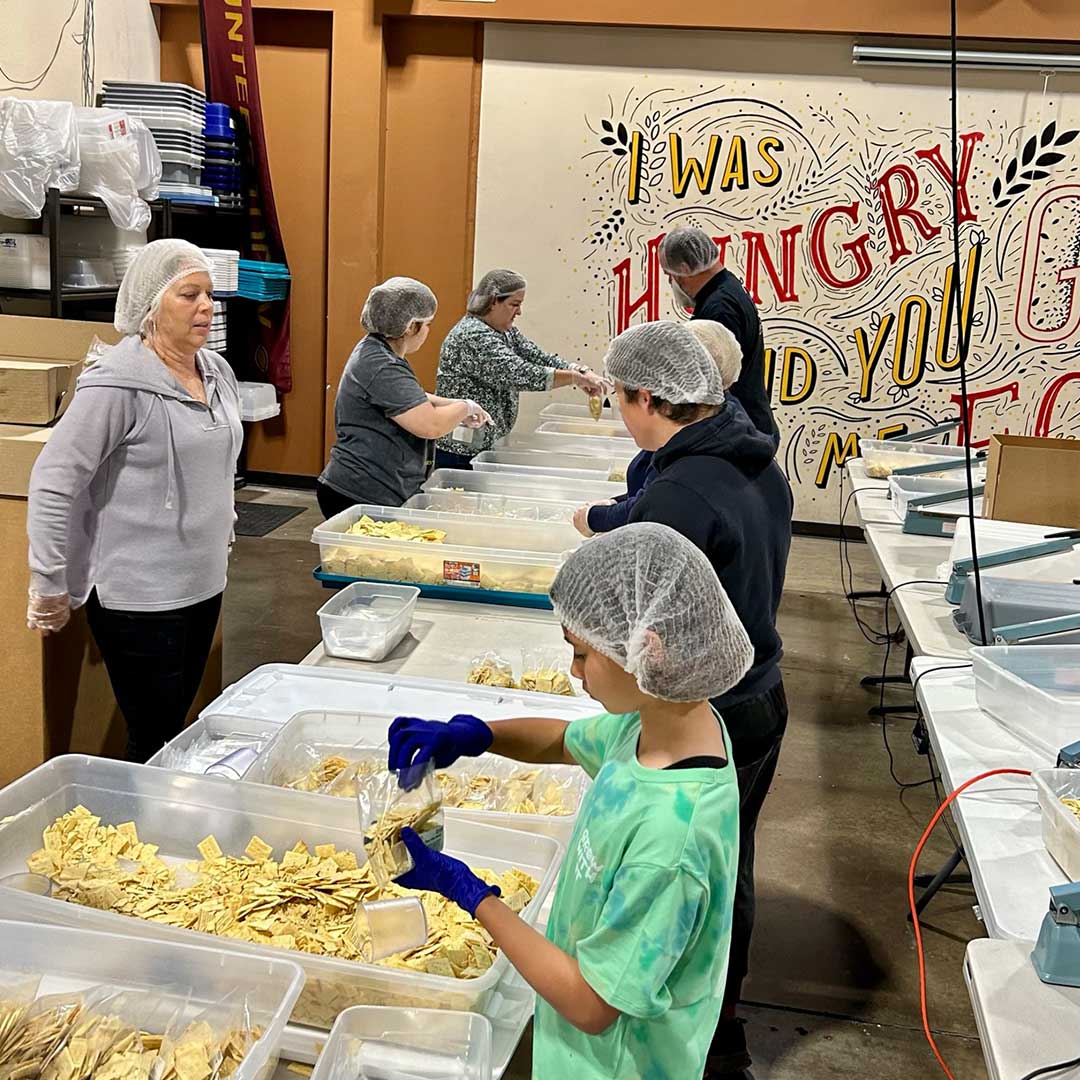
x,y
760,725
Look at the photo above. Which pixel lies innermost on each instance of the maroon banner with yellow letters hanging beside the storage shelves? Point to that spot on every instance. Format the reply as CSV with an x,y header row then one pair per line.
x,y
233,78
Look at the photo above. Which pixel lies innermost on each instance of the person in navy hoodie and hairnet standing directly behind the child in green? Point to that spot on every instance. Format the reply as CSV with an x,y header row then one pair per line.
x,y
719,484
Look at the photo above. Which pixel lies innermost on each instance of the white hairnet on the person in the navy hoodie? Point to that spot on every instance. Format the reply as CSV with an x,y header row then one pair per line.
x,y
669,361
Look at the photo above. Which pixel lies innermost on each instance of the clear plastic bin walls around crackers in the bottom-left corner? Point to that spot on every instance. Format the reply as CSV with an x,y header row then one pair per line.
x,y
170,978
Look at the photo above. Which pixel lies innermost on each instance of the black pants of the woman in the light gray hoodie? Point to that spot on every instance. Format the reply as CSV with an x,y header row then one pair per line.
x,y
156,661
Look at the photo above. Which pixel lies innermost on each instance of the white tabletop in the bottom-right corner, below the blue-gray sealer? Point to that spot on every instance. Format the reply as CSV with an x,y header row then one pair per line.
x,y
1024,1024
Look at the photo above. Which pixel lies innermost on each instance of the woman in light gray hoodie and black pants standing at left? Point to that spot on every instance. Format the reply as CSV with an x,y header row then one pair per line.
x,y
131,508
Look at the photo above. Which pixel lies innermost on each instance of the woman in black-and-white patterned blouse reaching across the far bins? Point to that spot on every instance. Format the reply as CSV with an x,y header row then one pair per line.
x,y
485,358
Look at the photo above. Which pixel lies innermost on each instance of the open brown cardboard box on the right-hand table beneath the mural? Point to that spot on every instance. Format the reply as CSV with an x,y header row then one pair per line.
x,y
1033,481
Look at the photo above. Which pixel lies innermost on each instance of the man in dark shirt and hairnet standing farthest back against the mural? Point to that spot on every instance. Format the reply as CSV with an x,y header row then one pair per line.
x,y
692,262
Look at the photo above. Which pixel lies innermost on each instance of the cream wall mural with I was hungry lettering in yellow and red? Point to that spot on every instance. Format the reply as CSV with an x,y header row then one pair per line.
x,y
833,207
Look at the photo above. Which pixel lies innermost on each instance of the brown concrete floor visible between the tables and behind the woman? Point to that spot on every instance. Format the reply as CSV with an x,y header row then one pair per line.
x,y
834,983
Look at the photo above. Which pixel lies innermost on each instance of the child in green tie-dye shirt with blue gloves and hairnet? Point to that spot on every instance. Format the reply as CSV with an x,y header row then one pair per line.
x,y
632,973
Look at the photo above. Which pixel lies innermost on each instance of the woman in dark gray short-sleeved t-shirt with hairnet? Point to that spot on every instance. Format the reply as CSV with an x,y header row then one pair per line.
x,y
384,420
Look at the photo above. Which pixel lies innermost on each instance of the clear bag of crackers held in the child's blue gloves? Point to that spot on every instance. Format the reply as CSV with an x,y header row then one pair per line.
x,y
395,800
